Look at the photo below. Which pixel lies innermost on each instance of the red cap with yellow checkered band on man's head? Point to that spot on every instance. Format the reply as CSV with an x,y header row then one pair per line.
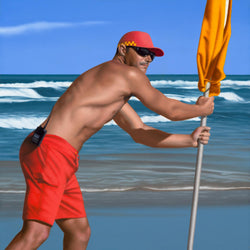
x,y
140,39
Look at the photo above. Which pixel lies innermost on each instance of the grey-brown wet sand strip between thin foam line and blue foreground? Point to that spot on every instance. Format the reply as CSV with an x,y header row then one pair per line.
x,y
11,205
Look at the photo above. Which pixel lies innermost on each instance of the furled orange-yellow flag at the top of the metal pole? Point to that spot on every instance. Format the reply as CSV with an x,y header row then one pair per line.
x,y
212,49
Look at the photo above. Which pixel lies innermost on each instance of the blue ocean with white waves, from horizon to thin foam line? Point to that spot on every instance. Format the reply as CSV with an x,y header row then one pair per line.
x,y
111,162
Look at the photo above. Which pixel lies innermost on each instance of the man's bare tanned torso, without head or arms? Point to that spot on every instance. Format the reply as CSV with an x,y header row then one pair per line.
x,y
92,100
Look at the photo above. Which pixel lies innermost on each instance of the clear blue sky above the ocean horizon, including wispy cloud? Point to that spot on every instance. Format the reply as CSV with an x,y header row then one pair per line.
x,y
69,37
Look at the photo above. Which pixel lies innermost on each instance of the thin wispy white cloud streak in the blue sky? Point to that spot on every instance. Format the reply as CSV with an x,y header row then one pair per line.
x,y
41,26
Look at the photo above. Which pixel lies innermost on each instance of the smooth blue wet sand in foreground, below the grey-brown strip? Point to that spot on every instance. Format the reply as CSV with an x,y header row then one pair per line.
x,y
152,227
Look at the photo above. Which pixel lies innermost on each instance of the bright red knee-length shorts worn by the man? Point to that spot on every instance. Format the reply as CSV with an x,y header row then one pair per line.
x,y
52,190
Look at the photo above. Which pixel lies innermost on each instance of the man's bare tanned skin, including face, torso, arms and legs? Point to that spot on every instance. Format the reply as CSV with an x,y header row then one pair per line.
x,y
93,99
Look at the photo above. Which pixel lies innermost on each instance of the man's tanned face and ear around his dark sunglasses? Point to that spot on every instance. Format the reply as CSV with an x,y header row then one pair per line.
x,y
132,58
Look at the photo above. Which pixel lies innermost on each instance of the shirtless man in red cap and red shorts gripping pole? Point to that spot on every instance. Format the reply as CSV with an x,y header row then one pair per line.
x,y
93,99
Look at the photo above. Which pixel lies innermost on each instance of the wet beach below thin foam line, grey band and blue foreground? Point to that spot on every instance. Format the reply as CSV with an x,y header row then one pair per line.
x,y
143,219
